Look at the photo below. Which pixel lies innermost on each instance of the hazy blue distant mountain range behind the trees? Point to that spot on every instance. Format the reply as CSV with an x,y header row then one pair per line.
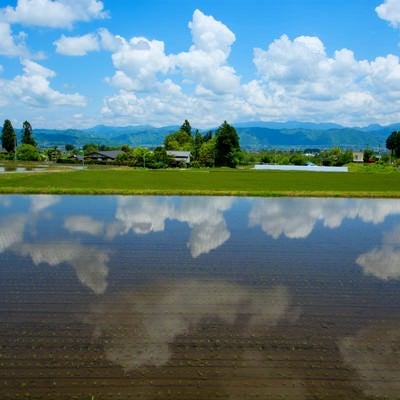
x,y
253,135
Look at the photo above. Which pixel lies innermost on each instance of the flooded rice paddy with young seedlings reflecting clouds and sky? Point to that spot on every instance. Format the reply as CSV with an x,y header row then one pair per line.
x,y
199,298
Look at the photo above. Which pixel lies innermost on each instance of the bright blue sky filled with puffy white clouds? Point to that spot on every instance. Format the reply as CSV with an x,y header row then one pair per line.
x,y
80,63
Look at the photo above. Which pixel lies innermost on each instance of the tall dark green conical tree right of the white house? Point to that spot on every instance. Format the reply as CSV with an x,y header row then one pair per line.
x,y
227,147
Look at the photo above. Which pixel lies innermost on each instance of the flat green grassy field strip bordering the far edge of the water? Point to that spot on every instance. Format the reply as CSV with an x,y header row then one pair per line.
x,y
204,182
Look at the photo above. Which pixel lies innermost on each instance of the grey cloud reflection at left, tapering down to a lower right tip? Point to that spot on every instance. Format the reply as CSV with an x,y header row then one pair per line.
x,y
90,263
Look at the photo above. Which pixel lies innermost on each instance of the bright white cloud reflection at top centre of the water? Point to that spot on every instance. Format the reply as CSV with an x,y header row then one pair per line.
x,y
203,215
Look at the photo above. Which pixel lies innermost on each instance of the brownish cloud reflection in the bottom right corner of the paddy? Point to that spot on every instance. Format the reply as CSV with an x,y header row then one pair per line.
x,y
374,354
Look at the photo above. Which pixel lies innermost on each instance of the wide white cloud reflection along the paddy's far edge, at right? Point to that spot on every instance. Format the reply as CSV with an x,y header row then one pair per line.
x,y
295,218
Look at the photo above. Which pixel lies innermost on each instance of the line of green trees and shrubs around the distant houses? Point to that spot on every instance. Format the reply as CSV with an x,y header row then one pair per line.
x,y
208,149
